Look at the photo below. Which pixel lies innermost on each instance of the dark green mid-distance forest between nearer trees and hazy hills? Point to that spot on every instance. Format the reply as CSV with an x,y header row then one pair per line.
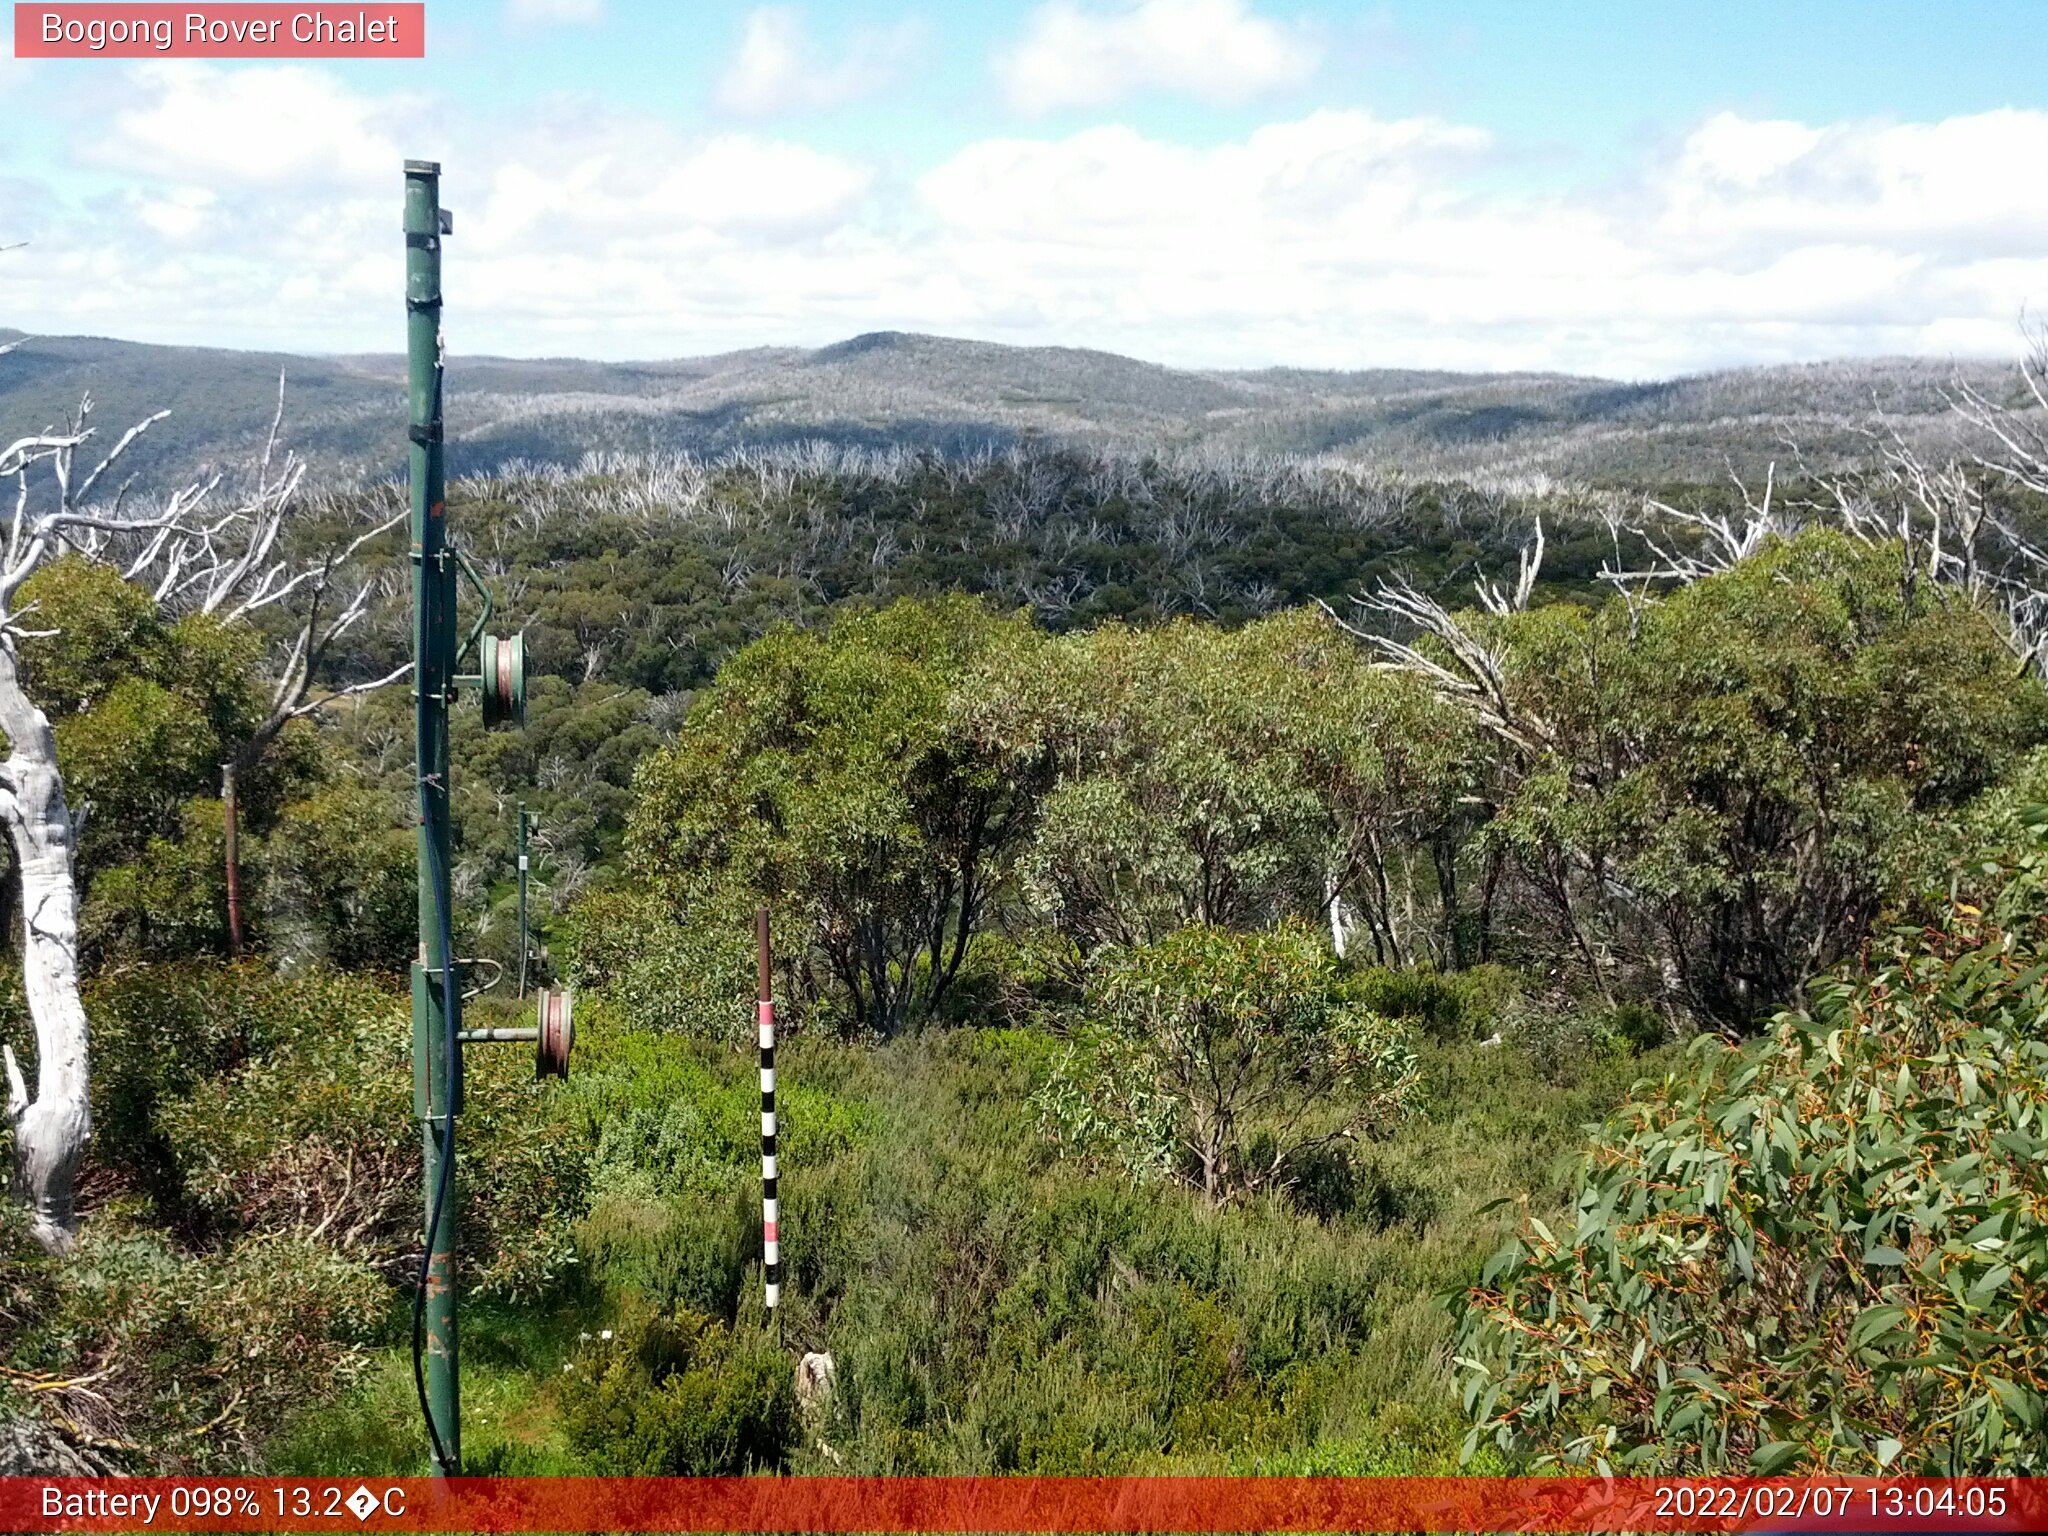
x,y
636,583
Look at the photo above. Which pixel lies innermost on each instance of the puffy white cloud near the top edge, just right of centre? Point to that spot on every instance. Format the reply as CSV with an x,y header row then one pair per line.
x,y
1213,50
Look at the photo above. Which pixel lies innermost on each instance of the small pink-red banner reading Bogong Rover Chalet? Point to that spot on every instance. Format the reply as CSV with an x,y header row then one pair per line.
x,y
220,32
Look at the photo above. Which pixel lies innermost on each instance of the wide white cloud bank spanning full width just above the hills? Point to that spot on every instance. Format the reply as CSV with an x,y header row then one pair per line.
x,y
259,208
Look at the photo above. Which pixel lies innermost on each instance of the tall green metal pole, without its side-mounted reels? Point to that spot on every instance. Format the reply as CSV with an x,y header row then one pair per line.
x,y
437,1093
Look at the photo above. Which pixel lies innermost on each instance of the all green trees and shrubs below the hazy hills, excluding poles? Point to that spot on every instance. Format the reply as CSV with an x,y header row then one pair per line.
x,y
1175,996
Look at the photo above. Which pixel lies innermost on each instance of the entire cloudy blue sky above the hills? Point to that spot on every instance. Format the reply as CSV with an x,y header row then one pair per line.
x,y
1568,185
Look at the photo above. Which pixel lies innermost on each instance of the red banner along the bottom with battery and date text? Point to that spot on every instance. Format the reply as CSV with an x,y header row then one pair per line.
x,y
1025,1504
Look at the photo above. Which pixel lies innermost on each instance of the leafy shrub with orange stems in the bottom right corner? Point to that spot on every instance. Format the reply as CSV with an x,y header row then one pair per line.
x,y
1824,1250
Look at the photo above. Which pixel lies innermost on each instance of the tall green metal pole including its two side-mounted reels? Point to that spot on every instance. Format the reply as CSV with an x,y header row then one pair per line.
x,y
501,683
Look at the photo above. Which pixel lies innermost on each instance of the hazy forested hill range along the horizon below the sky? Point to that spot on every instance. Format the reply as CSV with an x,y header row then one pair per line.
x,y
929,392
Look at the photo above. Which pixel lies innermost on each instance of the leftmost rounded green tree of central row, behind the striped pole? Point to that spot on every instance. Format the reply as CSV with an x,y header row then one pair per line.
x,y
826,773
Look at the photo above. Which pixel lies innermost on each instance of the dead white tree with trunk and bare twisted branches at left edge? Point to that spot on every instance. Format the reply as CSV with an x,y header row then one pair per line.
x,y
189,554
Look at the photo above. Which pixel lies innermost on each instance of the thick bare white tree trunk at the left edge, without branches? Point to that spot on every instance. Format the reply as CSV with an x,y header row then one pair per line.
x,y
52,1129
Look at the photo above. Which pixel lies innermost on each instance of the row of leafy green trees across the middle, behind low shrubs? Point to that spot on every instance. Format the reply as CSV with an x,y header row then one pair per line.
x,y
1699,804
